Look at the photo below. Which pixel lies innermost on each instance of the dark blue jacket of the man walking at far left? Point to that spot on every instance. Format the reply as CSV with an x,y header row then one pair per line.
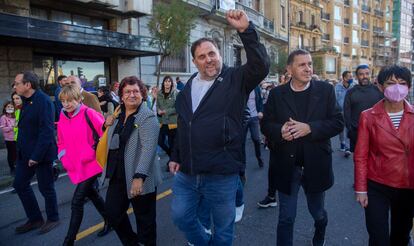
x,y
36,140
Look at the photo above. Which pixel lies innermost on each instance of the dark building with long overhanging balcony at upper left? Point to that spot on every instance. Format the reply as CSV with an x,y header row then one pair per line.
x,y
95,40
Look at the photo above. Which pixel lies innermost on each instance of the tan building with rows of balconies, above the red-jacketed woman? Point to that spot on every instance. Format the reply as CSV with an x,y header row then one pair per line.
x,y
360,31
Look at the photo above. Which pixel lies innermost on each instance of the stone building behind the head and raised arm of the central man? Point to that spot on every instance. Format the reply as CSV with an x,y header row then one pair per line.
x,y
269,17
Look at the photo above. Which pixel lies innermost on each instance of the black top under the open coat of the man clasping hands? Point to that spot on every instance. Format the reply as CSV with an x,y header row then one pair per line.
x,y
301,102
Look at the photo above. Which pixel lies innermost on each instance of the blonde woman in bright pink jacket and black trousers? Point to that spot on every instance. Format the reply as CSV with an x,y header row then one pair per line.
x,y
76,148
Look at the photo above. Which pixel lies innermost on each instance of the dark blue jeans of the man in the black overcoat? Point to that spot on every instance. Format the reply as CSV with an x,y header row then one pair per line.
x,y
287,210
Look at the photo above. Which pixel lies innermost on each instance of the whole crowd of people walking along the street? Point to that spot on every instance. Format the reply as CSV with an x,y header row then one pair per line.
x,y
202,126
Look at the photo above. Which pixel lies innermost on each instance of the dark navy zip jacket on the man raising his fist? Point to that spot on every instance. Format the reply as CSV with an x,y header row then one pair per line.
x,y
209,141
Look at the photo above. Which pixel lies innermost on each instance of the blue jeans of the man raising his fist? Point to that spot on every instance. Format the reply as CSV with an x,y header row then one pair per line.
x,y
218,194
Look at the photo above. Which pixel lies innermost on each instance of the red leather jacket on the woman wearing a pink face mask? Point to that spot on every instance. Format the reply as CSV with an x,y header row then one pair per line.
x,y
384,154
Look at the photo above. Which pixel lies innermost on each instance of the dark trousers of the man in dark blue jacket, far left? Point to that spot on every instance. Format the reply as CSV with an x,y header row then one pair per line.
x,y
44,174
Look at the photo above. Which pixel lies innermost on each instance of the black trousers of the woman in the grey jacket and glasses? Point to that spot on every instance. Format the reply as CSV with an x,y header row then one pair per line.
x,y
117,204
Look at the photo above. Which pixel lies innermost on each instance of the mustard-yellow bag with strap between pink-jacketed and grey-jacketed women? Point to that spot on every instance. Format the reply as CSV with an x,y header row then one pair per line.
x,y
101,144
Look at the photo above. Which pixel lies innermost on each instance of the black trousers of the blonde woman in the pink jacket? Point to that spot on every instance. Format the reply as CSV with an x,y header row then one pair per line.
x,y
83,190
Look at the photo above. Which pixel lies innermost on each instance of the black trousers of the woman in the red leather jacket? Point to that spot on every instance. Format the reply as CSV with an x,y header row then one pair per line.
x,y
382,199
